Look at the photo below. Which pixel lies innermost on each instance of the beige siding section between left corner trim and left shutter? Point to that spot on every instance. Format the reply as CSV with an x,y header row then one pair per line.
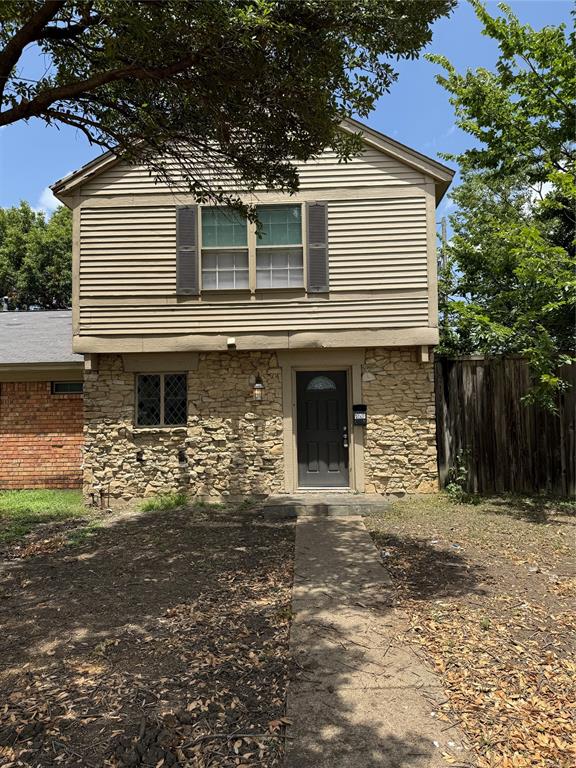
x,y
128,251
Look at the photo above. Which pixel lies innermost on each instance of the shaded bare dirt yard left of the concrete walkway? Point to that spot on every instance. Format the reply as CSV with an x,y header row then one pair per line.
x,y
153,639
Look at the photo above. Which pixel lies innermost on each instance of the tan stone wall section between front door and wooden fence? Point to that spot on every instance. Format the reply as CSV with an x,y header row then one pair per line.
x,y
400,440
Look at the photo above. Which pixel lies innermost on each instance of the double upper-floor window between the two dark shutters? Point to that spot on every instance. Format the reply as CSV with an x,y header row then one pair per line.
x,y
234,257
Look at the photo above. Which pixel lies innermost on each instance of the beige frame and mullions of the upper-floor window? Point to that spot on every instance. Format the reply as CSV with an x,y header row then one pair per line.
x,y
252,246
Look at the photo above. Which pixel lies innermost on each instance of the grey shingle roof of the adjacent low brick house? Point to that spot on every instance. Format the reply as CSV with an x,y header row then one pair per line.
x,y
36,338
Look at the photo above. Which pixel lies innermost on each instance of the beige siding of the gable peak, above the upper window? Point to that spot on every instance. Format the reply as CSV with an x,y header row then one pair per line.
x,y
371,168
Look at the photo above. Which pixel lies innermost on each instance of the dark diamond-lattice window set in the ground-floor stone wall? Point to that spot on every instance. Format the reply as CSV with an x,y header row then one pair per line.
x,y
161,399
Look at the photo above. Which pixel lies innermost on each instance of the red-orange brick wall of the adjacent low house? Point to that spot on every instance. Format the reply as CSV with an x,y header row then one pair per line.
x,y
40,437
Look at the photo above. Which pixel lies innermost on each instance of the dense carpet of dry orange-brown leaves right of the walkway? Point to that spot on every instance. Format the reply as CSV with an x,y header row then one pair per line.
x,y
515,700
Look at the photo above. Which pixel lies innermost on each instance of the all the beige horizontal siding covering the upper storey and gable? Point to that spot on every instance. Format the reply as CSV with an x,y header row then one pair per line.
x,y
378,247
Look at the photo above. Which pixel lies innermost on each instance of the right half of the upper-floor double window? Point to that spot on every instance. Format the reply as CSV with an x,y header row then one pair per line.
x,y
279,253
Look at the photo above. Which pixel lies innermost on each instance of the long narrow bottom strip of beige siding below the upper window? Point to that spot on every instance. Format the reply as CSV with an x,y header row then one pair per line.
x,y
252,317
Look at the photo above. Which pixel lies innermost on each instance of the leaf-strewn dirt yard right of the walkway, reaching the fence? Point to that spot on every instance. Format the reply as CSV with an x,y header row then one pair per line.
x,y
490,590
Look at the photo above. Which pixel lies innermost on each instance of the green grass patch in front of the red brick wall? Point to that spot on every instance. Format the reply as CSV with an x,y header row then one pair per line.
x,y
21,511
